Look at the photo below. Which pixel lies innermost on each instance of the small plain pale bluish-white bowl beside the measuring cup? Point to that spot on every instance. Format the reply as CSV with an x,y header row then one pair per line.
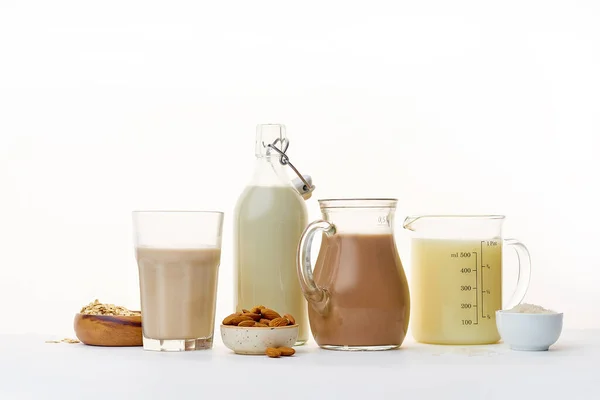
x,y
529,332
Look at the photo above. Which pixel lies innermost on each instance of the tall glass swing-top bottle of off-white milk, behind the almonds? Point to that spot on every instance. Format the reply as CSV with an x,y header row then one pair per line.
x,y
269,218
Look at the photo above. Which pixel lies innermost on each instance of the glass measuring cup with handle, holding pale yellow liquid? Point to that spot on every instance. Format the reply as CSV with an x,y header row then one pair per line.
x,y
456,274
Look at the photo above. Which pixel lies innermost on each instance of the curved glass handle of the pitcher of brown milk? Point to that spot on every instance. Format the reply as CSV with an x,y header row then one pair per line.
x,y
316,296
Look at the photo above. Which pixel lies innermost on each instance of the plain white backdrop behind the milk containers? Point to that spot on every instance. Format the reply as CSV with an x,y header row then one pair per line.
x,y
453,107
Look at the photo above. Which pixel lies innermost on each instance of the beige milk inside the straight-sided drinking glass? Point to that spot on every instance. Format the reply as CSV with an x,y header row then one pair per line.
x,y
178,292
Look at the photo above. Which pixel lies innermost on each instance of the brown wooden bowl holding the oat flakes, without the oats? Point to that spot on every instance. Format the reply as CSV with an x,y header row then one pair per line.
x,y
108,330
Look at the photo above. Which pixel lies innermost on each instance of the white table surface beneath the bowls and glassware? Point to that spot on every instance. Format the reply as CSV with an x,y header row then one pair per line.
x,y
33,369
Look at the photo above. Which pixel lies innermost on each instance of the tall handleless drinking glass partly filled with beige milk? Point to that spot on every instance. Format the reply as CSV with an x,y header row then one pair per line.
x,y
178,255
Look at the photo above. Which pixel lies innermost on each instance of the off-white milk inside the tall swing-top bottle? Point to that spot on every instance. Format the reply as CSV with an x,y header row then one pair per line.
x,y
272,219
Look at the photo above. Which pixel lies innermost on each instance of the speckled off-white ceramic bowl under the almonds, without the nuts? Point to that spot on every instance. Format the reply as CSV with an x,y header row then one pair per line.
x,y
256,340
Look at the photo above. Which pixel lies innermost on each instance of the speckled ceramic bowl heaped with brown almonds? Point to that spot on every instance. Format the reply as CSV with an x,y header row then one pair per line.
x,y
255,330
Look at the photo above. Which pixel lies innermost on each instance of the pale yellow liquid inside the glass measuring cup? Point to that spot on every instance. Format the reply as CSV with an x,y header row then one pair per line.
x,y
456,290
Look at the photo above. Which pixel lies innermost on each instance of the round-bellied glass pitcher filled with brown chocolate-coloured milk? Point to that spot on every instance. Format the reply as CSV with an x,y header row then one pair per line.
x,y
359,298
